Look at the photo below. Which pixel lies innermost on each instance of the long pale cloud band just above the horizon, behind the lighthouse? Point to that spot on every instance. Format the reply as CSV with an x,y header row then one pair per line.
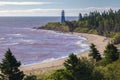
x,y
53,12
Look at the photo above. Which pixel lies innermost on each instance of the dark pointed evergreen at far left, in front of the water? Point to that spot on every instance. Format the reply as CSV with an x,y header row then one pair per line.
x,y
10,67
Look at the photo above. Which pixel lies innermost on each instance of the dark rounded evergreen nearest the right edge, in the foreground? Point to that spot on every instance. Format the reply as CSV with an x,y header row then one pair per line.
x,y
111,53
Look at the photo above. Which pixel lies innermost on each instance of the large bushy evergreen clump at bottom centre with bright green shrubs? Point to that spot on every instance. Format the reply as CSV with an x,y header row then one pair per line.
x,y
77,69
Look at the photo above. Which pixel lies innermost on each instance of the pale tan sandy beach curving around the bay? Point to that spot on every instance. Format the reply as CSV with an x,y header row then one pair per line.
x,y
99,41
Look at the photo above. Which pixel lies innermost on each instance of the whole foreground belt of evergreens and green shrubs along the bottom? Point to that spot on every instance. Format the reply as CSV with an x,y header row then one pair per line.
x,y
97,67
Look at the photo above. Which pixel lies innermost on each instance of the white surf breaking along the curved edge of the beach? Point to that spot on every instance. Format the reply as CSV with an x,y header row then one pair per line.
x,y
62,57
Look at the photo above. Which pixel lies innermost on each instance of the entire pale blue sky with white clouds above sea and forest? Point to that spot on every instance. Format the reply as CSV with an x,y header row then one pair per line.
x,y
54,7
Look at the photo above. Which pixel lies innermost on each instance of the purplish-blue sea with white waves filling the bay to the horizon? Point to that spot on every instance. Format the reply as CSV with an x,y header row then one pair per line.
x,y
33,46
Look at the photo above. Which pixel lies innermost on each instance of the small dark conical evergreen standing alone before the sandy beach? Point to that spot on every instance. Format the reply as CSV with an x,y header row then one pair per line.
x,y
94,53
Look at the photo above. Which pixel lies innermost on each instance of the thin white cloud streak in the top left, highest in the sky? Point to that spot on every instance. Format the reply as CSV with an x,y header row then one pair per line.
x,y
4,3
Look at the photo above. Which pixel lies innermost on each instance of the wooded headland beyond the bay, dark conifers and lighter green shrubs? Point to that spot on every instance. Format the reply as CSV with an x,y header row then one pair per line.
x,y
106,23
